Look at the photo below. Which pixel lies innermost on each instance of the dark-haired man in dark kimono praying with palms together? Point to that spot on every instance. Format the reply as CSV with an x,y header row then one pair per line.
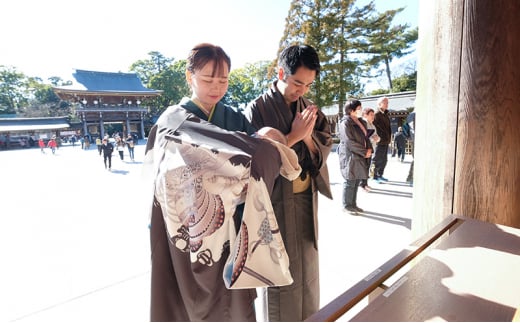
x,y
295,203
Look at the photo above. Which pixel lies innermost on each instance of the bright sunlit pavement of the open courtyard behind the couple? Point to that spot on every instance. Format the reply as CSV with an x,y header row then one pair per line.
x,y
75,245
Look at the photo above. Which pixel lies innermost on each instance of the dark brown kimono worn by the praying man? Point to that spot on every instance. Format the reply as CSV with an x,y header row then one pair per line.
x,y
295,204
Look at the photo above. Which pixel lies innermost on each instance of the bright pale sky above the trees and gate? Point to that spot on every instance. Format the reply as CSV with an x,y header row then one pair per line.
x,y
55,37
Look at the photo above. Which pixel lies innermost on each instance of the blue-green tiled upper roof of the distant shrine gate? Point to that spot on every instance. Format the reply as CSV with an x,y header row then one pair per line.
x,y
93,81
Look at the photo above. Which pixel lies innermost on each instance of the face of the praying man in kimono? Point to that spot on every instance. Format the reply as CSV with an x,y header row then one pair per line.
x,y
294,86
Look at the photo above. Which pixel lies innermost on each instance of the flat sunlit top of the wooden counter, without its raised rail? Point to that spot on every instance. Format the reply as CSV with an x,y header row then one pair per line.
x,y
472,275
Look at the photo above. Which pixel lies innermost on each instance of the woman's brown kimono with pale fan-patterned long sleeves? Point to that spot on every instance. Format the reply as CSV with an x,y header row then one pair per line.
x,y
207,257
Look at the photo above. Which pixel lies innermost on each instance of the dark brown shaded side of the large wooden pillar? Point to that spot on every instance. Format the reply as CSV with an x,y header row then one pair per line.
x,y
487,173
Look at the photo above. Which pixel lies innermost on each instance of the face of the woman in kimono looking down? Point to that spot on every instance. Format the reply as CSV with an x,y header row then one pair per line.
x,y
207,89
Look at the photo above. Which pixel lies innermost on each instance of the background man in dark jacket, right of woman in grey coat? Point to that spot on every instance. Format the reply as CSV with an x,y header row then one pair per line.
x,y
382,124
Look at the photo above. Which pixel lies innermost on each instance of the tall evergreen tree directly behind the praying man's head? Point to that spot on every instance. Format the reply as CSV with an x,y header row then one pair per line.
x,y
332,27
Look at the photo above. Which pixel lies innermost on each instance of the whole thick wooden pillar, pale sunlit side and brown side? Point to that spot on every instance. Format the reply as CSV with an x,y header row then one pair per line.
x,y
467,159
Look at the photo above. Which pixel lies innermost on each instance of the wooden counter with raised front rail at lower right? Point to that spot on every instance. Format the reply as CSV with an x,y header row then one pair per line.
x,y
468,270
